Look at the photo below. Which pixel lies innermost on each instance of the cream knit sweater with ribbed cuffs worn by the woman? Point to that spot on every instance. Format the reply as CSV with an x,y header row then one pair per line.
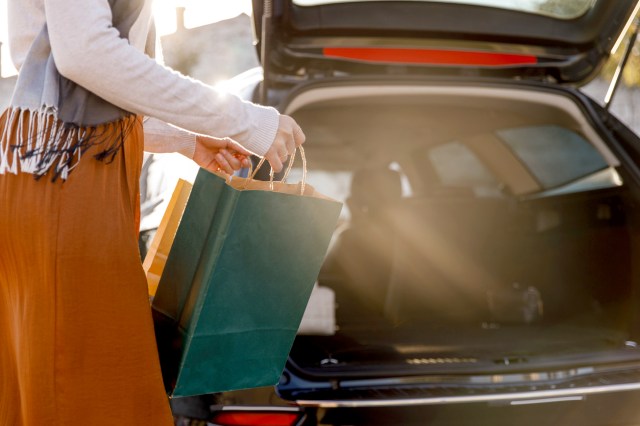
x,y
88,50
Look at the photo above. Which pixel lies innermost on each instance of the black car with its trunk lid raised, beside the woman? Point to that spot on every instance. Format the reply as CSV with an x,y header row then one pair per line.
x,y
485,269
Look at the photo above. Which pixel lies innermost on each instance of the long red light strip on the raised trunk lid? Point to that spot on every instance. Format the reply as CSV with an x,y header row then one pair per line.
x,y
428,56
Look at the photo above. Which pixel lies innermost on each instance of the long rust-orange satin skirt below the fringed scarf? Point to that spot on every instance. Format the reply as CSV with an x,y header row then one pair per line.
x,y
76,337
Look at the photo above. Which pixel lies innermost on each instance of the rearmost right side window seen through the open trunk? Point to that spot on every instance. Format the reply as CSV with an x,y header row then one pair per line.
x,y
554,155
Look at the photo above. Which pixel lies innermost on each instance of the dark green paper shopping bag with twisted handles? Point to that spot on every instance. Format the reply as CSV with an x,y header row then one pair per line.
x,y
237,280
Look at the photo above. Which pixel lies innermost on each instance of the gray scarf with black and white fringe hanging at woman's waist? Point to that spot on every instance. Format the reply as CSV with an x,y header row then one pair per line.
x,y
52,121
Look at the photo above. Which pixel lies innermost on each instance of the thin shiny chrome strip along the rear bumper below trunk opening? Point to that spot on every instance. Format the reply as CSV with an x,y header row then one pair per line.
x,y
515,396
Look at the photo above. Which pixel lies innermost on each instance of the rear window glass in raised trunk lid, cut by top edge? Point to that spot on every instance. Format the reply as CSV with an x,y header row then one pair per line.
x,y
560,9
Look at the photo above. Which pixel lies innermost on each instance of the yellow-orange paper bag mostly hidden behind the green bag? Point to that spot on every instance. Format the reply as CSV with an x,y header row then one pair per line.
x,y
156,257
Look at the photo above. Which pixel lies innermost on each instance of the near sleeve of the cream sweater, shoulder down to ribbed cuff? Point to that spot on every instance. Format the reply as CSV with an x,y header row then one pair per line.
x,y
88,50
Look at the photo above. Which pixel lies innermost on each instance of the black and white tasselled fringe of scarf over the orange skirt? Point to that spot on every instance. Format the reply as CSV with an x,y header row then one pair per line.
x,y
36,142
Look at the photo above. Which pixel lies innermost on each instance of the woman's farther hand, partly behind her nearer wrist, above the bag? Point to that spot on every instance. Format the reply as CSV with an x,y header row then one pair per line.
x,y
216,154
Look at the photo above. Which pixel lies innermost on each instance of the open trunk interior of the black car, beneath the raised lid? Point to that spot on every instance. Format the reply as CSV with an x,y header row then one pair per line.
x,y
489,240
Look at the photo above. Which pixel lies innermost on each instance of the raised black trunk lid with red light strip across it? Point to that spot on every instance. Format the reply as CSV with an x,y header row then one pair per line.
x,y
562,41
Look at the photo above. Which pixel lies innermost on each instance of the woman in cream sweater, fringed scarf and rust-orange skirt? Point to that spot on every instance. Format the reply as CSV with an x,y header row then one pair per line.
x,y
76,337
